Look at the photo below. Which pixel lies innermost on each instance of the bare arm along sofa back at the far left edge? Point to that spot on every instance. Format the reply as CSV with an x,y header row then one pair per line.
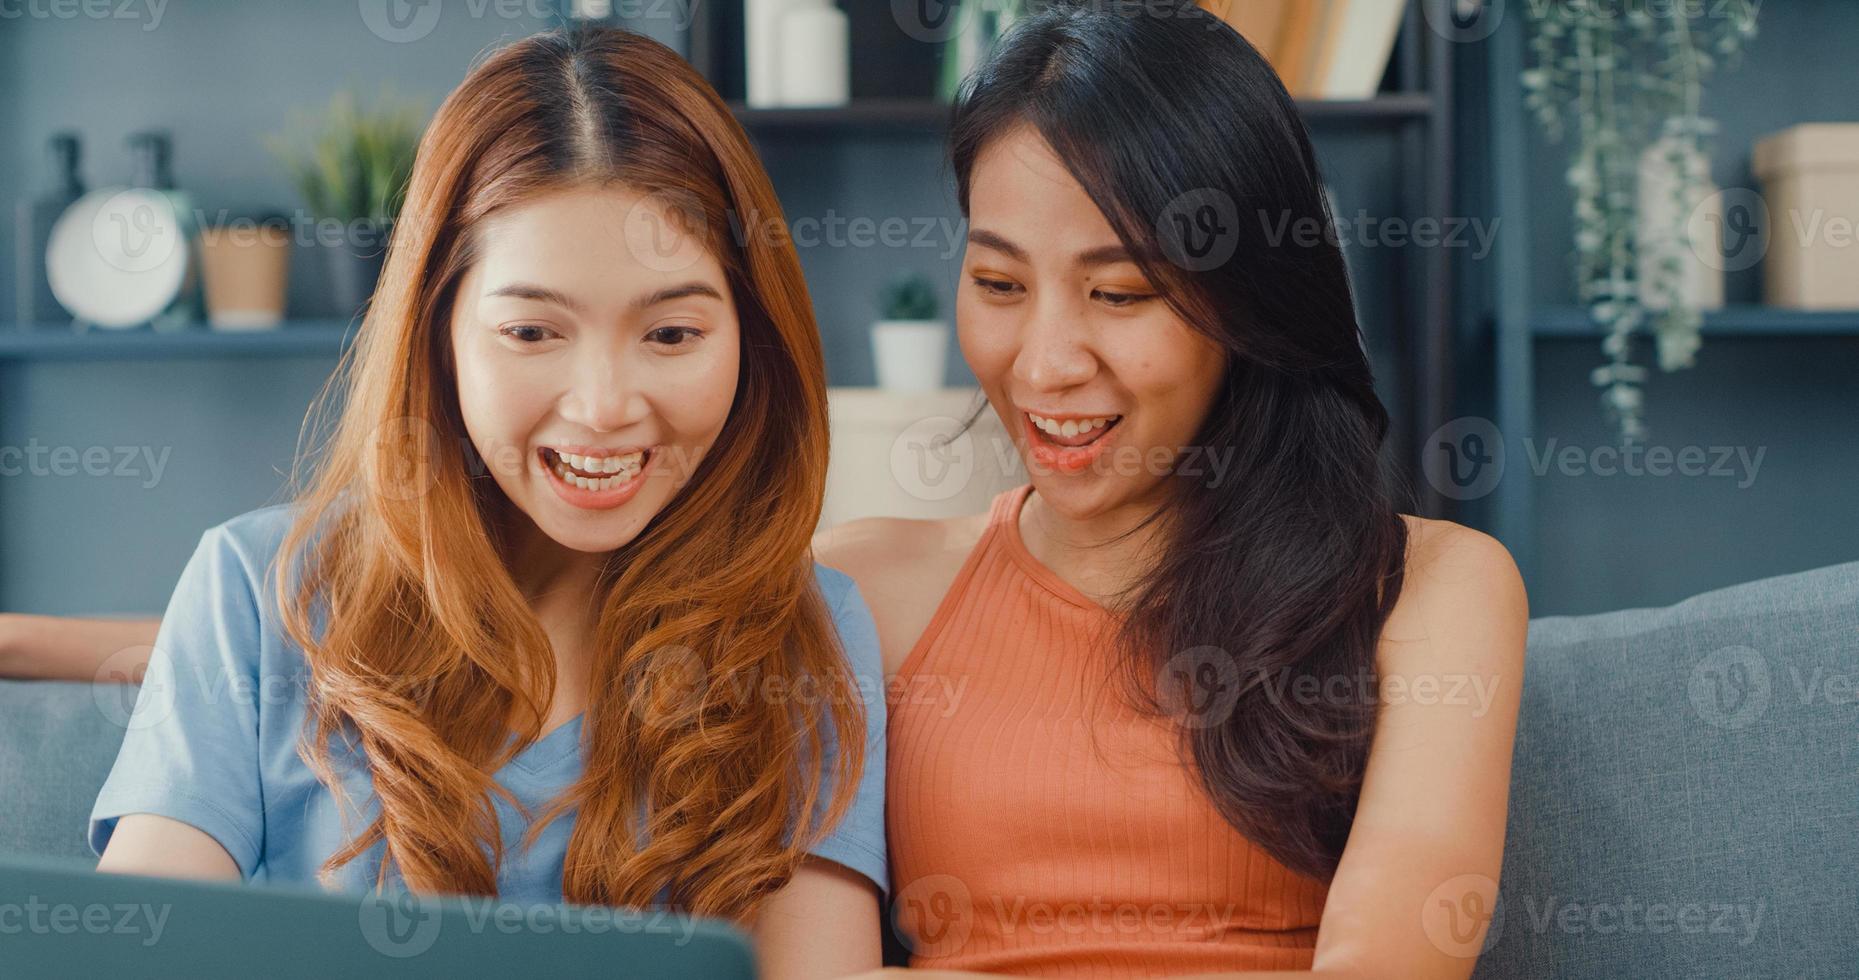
x,y
55,648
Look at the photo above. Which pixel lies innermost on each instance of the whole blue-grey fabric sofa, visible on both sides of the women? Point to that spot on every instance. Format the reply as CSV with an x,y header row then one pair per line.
x,y
1685,797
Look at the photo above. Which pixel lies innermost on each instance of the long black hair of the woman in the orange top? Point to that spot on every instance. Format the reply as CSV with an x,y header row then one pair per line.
x,y
1271,589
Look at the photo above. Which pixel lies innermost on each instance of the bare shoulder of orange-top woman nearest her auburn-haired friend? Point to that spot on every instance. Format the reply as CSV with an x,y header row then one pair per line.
x,y
903,570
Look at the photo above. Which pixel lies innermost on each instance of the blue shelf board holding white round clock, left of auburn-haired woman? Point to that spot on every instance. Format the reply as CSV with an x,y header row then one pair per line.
x,y
62,343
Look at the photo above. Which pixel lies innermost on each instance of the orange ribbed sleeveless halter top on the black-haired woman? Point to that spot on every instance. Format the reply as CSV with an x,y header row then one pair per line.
x,y
1040,823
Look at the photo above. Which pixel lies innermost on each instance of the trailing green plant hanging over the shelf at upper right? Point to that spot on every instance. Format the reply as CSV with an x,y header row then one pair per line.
x,y
1626,75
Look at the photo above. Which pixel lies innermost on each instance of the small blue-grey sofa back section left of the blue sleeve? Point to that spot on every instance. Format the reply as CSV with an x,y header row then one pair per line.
x,y
57,747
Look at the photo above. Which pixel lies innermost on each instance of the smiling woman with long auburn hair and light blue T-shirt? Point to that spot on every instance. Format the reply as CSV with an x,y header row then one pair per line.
x,y
544,622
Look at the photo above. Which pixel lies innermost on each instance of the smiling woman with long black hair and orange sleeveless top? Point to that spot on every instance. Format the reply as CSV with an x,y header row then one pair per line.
x,y
1213,704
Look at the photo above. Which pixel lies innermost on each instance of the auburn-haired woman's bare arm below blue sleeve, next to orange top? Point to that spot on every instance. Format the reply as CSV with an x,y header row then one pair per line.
x,y
823,923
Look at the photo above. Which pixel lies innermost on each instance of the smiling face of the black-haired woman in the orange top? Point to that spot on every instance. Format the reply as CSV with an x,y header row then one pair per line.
x,y
1098,378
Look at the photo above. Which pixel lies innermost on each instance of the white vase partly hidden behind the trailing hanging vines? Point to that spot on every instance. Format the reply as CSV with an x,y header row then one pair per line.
x,y
1681,230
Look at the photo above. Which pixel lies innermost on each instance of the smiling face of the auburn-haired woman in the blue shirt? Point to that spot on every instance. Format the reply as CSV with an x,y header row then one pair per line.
x,y
596,360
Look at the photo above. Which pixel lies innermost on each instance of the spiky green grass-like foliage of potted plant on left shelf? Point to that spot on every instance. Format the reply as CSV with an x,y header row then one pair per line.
x,y
352,165
